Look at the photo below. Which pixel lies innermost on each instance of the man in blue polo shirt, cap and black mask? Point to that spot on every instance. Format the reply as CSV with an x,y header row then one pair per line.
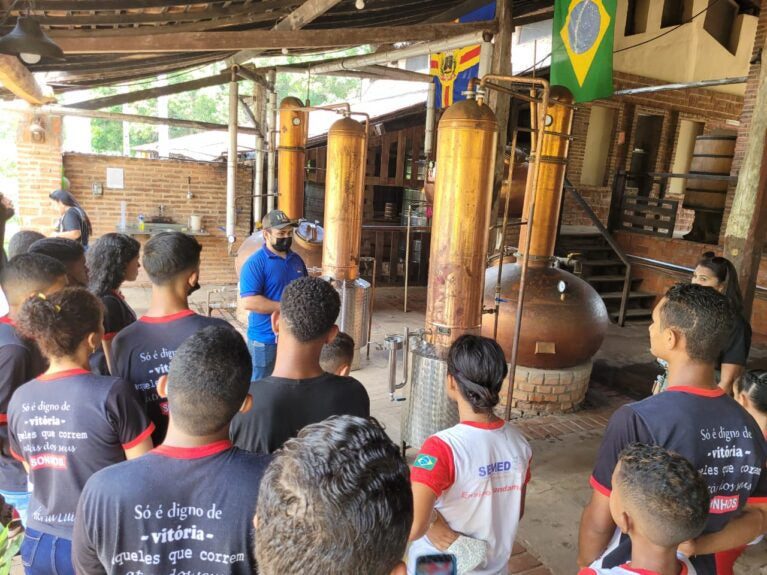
x,y
263,277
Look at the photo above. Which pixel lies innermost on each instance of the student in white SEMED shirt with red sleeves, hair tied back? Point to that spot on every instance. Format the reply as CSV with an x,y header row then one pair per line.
x,y
471,478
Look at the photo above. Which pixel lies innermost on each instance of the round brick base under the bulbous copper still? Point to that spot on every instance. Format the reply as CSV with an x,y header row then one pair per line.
x,y
545,391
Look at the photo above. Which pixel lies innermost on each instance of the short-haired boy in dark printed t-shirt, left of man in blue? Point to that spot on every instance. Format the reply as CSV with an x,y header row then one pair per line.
x,y
142,351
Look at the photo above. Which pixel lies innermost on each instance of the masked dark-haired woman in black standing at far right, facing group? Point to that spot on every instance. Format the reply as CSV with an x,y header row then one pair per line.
x,y
719,274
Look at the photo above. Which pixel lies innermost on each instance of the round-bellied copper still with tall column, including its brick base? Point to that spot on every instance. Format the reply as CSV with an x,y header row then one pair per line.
x,y
548,321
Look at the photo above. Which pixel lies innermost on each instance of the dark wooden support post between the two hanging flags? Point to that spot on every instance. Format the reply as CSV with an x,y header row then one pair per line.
x,y
501,103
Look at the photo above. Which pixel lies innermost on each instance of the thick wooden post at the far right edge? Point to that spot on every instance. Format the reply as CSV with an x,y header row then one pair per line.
x,y
747,222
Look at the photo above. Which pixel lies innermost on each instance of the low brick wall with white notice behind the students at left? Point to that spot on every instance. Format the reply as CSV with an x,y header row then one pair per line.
x,y
149,183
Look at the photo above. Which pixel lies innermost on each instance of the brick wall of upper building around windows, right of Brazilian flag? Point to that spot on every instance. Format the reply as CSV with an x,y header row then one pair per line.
x,y
700,105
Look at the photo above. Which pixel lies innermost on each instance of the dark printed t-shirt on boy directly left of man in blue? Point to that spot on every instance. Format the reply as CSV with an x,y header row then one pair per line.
x,y
142,351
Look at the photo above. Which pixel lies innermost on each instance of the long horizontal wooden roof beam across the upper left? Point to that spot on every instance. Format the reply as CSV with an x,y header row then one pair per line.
x,y
270,39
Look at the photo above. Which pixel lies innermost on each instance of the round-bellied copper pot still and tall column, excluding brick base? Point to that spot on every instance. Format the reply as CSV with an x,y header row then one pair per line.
x,y
564,320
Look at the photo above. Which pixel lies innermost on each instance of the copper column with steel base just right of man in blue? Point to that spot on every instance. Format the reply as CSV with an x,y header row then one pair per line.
x,y
344,196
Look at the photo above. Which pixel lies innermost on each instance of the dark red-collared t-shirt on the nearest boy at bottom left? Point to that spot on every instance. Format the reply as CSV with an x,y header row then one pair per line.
x,y
173,511
